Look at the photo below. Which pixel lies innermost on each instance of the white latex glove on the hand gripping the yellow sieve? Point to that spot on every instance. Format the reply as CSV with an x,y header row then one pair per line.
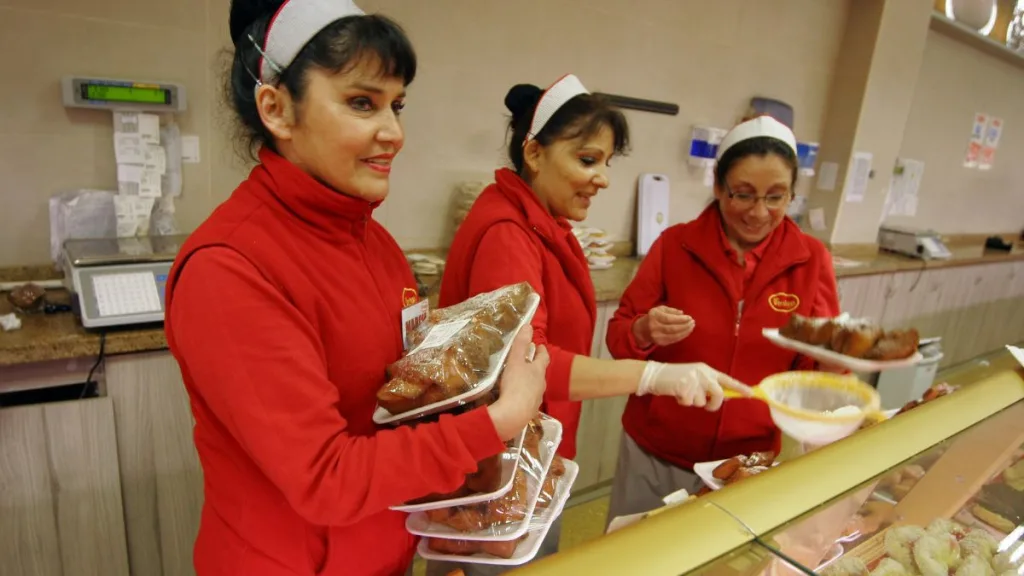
x,y
693,385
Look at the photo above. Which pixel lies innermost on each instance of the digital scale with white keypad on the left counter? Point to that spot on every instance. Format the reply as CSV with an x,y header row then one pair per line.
x,y
119,281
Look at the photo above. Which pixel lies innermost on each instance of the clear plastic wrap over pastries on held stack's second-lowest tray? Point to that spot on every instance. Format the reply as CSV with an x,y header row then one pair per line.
x,y
508,517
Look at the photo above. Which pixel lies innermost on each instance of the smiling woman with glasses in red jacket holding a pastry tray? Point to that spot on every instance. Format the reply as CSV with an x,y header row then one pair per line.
x,y
704,294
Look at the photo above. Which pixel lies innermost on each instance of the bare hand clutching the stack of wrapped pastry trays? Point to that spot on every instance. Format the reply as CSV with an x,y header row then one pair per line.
x,y
522,386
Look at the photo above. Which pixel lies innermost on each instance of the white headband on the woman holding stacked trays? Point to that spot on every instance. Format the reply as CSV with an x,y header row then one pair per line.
x,y
295,25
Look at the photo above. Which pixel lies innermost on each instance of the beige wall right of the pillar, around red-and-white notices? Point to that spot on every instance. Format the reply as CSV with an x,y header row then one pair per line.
x,y
954,85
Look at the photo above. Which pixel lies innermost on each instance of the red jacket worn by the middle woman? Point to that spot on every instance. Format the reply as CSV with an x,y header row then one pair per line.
x,y
508,237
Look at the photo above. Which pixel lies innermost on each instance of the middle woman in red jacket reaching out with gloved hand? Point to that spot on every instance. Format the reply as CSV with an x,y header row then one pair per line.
x,y
562,143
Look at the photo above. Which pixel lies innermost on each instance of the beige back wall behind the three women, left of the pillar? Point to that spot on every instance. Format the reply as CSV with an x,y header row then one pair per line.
x,y
710,58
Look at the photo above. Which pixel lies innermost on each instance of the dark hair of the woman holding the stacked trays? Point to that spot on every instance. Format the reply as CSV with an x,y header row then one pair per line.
x,y
337,48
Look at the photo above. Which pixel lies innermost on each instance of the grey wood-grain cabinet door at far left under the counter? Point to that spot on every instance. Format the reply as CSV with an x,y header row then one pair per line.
x,y
61,509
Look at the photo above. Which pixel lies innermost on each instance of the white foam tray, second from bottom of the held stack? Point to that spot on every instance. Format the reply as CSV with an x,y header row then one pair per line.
x,y
420,525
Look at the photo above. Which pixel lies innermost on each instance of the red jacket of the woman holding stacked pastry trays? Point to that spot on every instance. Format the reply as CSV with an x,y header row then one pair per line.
x,y
284,310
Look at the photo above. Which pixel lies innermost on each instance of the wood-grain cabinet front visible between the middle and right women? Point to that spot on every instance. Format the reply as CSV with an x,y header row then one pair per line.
x,y
601,425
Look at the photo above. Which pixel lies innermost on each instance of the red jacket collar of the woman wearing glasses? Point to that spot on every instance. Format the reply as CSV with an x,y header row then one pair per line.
x,y
785,249
